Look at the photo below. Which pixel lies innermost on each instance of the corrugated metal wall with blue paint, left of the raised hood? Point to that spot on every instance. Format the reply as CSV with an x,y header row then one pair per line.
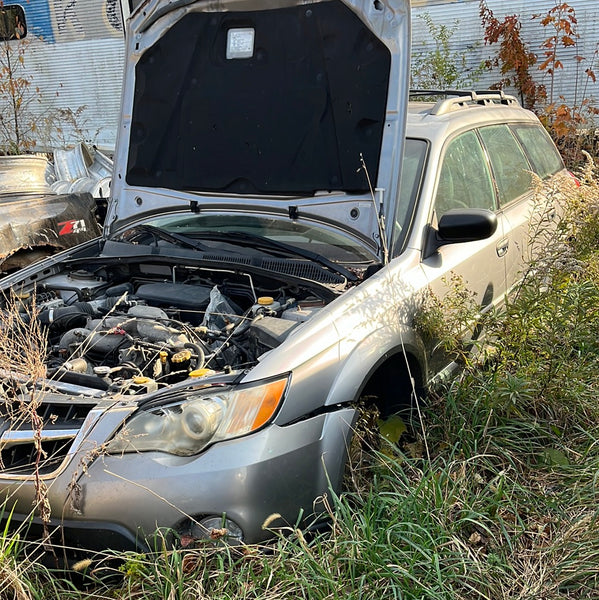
x,y
73,56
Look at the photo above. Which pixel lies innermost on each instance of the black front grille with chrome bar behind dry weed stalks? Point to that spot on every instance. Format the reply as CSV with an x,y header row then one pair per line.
x,y
19,452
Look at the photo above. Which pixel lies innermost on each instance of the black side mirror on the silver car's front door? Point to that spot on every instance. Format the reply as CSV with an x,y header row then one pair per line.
x,y
461,225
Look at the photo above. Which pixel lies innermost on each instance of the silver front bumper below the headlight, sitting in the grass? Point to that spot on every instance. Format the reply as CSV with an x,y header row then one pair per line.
x,y
122,500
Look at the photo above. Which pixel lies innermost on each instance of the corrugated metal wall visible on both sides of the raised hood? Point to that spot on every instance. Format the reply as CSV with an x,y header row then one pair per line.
x,y
74,57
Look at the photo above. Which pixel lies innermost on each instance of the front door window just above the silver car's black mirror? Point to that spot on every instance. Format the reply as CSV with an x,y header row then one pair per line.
x,y
464,180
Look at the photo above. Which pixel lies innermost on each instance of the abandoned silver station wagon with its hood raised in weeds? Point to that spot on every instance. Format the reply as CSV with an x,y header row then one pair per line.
x,y
279,207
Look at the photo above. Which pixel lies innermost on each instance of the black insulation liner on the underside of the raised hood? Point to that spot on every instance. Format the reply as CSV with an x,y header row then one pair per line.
x,y
291,119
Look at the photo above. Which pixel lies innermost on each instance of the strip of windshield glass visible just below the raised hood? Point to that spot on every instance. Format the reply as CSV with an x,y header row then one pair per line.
x,y
226,232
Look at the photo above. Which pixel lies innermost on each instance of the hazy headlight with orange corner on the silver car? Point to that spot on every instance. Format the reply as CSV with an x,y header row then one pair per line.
x,y
210,415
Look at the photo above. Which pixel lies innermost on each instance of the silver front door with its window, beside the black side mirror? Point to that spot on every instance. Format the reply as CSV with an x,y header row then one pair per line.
x,y
470,272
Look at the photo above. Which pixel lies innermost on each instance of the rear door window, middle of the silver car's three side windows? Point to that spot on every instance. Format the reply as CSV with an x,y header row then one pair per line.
x,y
509,163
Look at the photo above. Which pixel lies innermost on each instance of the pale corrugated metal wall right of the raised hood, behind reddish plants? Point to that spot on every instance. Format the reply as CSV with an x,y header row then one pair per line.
x,y
571,82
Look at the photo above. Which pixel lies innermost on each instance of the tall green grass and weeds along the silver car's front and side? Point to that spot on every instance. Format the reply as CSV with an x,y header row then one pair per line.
x,y
504,504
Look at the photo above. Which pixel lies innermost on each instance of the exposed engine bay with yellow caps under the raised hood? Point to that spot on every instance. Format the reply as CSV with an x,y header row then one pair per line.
x,y
135,326
